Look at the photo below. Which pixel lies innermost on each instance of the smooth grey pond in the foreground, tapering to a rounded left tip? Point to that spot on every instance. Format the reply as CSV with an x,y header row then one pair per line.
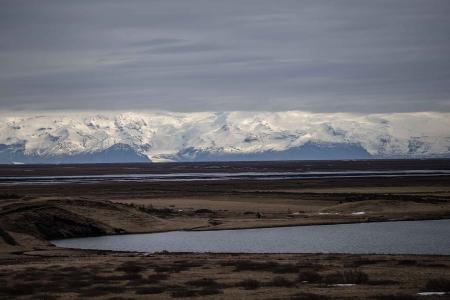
x,y
406,237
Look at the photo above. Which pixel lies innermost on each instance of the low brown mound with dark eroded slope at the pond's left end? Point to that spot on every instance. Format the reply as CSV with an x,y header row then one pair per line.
x,y
57,219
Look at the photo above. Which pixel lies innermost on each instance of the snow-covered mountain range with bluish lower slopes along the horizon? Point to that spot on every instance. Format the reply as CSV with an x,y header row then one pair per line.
x,y
56,137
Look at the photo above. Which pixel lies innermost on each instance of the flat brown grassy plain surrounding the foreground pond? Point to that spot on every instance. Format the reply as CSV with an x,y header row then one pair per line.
x,y
32,268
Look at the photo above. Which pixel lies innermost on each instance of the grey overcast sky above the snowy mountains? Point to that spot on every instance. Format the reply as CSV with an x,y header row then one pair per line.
x,y
321,56
